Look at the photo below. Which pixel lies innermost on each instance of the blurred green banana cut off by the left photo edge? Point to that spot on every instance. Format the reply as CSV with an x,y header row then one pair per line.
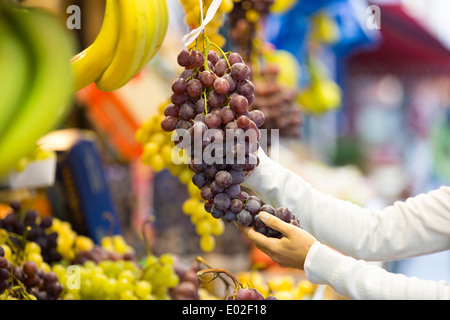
x,y
15,70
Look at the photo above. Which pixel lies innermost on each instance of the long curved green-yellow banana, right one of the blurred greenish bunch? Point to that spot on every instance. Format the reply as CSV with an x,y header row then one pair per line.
x,y
49,97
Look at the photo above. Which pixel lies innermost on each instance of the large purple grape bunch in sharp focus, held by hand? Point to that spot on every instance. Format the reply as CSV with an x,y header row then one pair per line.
x,y
211,122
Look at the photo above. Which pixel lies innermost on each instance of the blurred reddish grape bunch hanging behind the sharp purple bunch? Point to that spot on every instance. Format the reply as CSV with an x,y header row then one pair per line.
x,y
278,103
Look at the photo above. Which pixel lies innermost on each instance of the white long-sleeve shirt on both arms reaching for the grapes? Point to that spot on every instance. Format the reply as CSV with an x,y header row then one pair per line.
x,y
420,225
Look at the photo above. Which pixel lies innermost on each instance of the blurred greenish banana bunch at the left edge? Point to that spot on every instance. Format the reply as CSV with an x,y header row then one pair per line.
x,y
36,79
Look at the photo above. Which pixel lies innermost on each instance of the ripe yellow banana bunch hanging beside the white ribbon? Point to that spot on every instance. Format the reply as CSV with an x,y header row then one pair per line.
x,y
131,34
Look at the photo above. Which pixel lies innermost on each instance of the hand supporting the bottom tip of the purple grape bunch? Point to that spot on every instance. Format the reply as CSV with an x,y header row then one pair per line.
x,y
289,251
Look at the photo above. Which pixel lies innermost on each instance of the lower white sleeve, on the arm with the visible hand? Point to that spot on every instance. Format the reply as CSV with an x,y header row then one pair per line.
x,y
356,279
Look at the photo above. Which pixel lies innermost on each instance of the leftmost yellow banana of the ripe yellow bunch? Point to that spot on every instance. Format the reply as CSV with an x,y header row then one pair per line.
x,y
89,64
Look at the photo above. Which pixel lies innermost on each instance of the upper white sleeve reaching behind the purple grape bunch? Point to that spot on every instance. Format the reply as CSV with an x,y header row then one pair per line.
x,y
417,226
